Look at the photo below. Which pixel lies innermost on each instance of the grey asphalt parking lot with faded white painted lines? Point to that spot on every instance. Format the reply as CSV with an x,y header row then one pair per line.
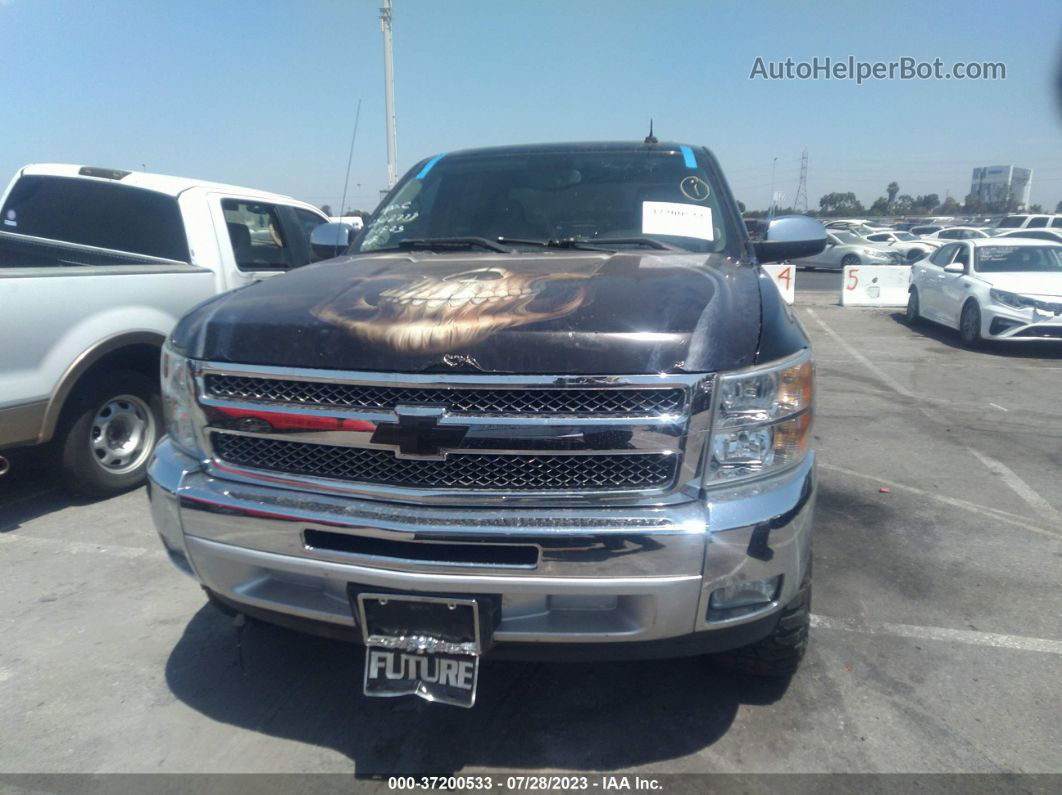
x,y
937,643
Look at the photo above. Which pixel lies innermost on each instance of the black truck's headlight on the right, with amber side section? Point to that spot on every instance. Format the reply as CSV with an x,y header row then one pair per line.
x,y
763,421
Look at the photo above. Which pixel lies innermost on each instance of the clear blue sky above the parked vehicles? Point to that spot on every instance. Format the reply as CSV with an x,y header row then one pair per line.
x,y
263,93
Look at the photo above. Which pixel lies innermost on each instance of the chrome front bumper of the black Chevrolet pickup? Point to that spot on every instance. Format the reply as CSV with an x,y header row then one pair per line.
x,y
604,575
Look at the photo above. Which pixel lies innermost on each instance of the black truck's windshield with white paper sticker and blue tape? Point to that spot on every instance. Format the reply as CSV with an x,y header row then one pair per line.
x,y
665,196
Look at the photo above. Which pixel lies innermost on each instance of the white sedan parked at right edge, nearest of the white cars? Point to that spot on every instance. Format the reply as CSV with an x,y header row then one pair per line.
x,y
991,290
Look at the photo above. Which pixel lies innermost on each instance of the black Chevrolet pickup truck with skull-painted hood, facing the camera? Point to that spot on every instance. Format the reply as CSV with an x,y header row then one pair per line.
x,y
546,406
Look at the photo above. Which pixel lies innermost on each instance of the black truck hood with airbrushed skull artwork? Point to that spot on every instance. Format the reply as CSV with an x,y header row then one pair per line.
x,y
555,313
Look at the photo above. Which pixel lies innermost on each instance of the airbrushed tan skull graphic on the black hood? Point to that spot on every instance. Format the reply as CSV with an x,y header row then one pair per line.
x,y
432,315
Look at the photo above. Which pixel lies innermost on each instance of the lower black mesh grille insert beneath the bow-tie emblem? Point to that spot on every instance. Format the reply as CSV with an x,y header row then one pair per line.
x,y
474,472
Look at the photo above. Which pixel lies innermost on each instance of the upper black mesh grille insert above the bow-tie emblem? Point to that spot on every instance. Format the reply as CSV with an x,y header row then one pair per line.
x,y
540,402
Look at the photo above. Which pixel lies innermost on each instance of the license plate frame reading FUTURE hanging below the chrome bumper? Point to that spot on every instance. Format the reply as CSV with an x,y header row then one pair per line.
x,y
420,645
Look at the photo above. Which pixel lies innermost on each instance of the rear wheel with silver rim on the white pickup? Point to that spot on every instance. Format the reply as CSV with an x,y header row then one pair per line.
x,y
114,426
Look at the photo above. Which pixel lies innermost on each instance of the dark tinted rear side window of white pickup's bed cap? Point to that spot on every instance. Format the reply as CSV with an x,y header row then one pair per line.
x,y
98,213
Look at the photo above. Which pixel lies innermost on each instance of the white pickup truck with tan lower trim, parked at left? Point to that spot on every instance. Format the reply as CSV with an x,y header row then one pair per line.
x,y
96,268
